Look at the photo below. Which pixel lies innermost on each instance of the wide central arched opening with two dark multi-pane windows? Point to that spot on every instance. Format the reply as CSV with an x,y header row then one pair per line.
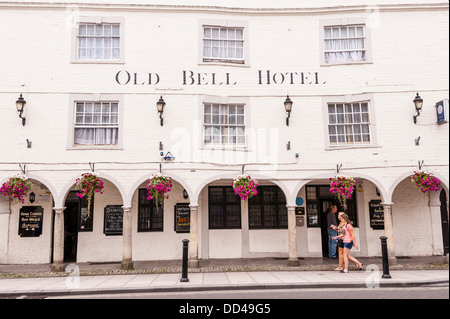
x,y
232,228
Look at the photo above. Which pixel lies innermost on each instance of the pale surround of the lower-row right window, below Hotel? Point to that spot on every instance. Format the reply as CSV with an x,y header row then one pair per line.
x,y
350,99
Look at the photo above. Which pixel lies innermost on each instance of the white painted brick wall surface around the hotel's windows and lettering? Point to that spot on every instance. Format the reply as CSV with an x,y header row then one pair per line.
x,y
407,58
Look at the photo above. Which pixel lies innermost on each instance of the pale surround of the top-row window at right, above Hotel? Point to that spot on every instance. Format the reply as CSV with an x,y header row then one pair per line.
x,y
340,23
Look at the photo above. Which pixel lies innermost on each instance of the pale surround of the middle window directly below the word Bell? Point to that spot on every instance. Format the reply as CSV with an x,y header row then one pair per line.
x,y
219,100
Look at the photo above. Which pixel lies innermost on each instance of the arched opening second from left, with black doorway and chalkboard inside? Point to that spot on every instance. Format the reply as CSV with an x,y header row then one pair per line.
x,y
101,224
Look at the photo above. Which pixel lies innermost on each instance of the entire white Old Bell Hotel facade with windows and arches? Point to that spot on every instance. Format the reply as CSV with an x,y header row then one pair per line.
x,y
91,75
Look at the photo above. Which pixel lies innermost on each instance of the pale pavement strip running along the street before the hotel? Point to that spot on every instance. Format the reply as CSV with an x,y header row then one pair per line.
x,y
221,274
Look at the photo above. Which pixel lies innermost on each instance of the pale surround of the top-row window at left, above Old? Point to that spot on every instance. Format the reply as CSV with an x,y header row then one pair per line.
x,y
98,20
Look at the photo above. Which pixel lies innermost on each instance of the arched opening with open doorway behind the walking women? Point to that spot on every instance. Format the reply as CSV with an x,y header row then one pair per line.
x,y
314,199
